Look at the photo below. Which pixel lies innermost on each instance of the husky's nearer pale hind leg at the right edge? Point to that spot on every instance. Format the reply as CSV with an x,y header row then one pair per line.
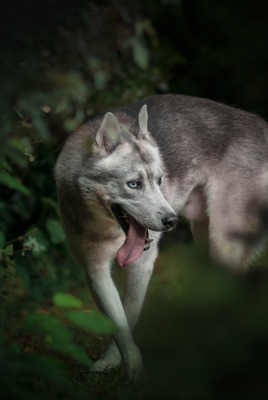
x,y
236,230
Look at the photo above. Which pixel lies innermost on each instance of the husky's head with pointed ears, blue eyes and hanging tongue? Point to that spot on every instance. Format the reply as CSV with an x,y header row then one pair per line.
x,y
126,174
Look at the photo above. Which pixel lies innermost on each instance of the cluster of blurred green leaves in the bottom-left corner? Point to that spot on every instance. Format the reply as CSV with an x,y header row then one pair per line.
x,y
52,333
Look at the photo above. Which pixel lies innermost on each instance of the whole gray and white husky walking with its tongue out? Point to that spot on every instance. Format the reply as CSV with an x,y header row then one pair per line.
x,y
123,178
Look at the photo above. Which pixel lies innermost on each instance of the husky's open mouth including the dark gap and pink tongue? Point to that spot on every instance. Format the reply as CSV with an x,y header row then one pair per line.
x,y
137,236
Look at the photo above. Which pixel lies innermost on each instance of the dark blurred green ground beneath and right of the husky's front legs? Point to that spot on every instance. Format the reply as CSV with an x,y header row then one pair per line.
x,y
203,332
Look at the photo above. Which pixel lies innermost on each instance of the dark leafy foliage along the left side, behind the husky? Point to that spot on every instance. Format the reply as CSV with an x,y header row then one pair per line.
x,y
71,69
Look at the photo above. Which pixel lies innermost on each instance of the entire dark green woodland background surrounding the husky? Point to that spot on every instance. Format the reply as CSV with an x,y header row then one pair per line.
x,y
203,332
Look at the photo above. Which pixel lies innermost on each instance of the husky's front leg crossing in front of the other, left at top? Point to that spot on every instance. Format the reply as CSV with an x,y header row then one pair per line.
x,y
96,259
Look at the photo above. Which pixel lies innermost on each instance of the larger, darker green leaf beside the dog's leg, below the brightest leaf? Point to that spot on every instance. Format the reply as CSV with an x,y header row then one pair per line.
x,y
91,321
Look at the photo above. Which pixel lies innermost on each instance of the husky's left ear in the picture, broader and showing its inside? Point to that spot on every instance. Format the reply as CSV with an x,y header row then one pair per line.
x,y
108,134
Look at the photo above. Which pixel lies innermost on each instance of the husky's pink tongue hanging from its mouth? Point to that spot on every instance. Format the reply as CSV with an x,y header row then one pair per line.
x,y
133,245
